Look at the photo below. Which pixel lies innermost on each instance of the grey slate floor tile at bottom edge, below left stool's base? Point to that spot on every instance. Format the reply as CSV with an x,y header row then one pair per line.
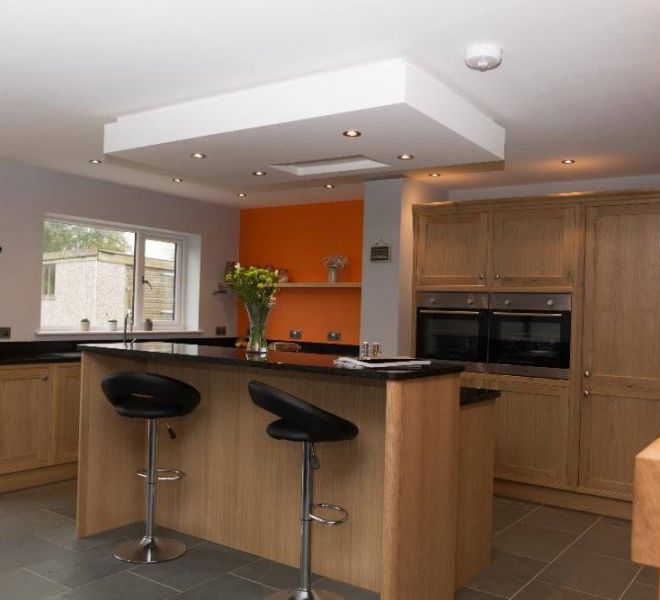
x,y
122,586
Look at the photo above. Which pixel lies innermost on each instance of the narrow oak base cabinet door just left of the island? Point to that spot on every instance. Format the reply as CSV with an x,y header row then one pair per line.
x,y
66,402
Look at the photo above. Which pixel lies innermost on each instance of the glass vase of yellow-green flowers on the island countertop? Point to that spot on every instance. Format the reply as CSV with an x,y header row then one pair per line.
x,y
255,287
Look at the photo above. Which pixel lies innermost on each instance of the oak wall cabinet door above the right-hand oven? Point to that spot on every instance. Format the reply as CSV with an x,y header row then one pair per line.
x,y
534,247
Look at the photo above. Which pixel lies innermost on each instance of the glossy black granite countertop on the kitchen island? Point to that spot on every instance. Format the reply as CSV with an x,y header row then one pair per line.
x,y
284,361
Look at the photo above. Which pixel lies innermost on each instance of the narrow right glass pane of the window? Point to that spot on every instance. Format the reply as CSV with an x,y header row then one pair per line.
x,y
159,285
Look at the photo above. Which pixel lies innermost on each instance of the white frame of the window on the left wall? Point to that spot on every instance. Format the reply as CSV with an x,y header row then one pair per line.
x,y
141,235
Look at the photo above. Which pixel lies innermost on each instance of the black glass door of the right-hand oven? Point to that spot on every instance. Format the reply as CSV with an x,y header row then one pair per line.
x,y
533,339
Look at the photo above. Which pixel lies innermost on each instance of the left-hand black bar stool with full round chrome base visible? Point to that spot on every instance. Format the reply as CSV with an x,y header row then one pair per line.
x,y
149,396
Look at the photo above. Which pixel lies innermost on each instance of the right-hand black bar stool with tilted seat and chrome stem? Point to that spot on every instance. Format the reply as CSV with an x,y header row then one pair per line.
x,y
303,422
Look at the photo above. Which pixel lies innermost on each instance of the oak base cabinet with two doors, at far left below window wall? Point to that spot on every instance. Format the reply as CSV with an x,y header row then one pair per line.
x,y
39,405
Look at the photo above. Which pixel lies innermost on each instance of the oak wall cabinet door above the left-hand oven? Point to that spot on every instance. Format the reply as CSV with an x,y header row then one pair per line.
x,y
452,249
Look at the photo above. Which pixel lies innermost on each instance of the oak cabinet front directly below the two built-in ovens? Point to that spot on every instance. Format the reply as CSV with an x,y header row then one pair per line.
x,y
535,428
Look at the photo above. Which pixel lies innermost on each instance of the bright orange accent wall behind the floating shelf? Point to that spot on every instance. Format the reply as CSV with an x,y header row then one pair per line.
x,y
297,238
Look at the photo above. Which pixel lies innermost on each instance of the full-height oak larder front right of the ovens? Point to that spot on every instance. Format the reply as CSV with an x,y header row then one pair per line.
x,y
621,345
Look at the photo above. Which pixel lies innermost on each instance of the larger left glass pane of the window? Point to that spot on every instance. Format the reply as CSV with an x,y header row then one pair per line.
x,y
87,274
